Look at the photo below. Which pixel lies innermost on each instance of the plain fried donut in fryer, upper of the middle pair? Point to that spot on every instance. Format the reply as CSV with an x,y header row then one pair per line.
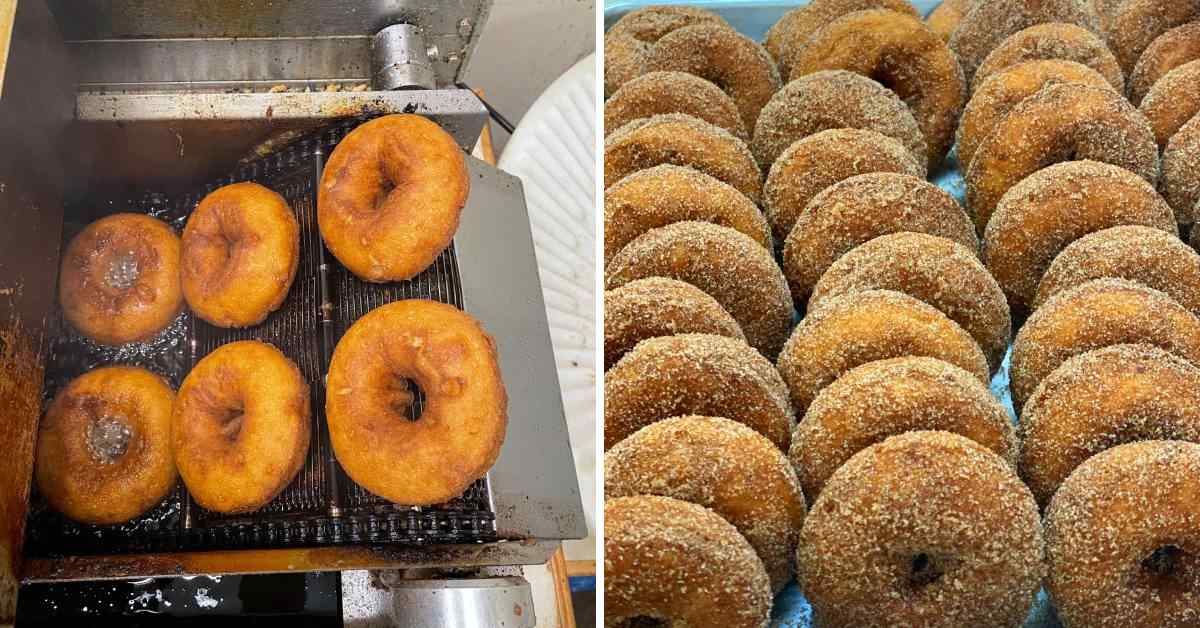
x,y
241,253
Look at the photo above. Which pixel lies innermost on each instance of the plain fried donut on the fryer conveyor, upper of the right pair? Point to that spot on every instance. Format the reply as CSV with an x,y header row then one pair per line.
x,y
391,198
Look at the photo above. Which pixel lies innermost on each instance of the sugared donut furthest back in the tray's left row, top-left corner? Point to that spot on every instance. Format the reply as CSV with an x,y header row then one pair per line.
x,y
631,39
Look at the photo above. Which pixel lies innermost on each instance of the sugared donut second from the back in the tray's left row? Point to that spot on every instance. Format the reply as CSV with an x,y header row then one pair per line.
x,y
731,61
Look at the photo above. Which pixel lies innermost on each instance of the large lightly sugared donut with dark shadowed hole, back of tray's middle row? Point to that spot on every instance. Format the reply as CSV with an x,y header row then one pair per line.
x,y
904,56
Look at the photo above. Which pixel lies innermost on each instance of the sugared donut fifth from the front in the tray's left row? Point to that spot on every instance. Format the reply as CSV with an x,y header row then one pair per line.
x,y
727,265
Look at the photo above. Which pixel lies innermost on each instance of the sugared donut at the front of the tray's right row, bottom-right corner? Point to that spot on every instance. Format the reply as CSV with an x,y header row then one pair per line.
x,y
1121,539
